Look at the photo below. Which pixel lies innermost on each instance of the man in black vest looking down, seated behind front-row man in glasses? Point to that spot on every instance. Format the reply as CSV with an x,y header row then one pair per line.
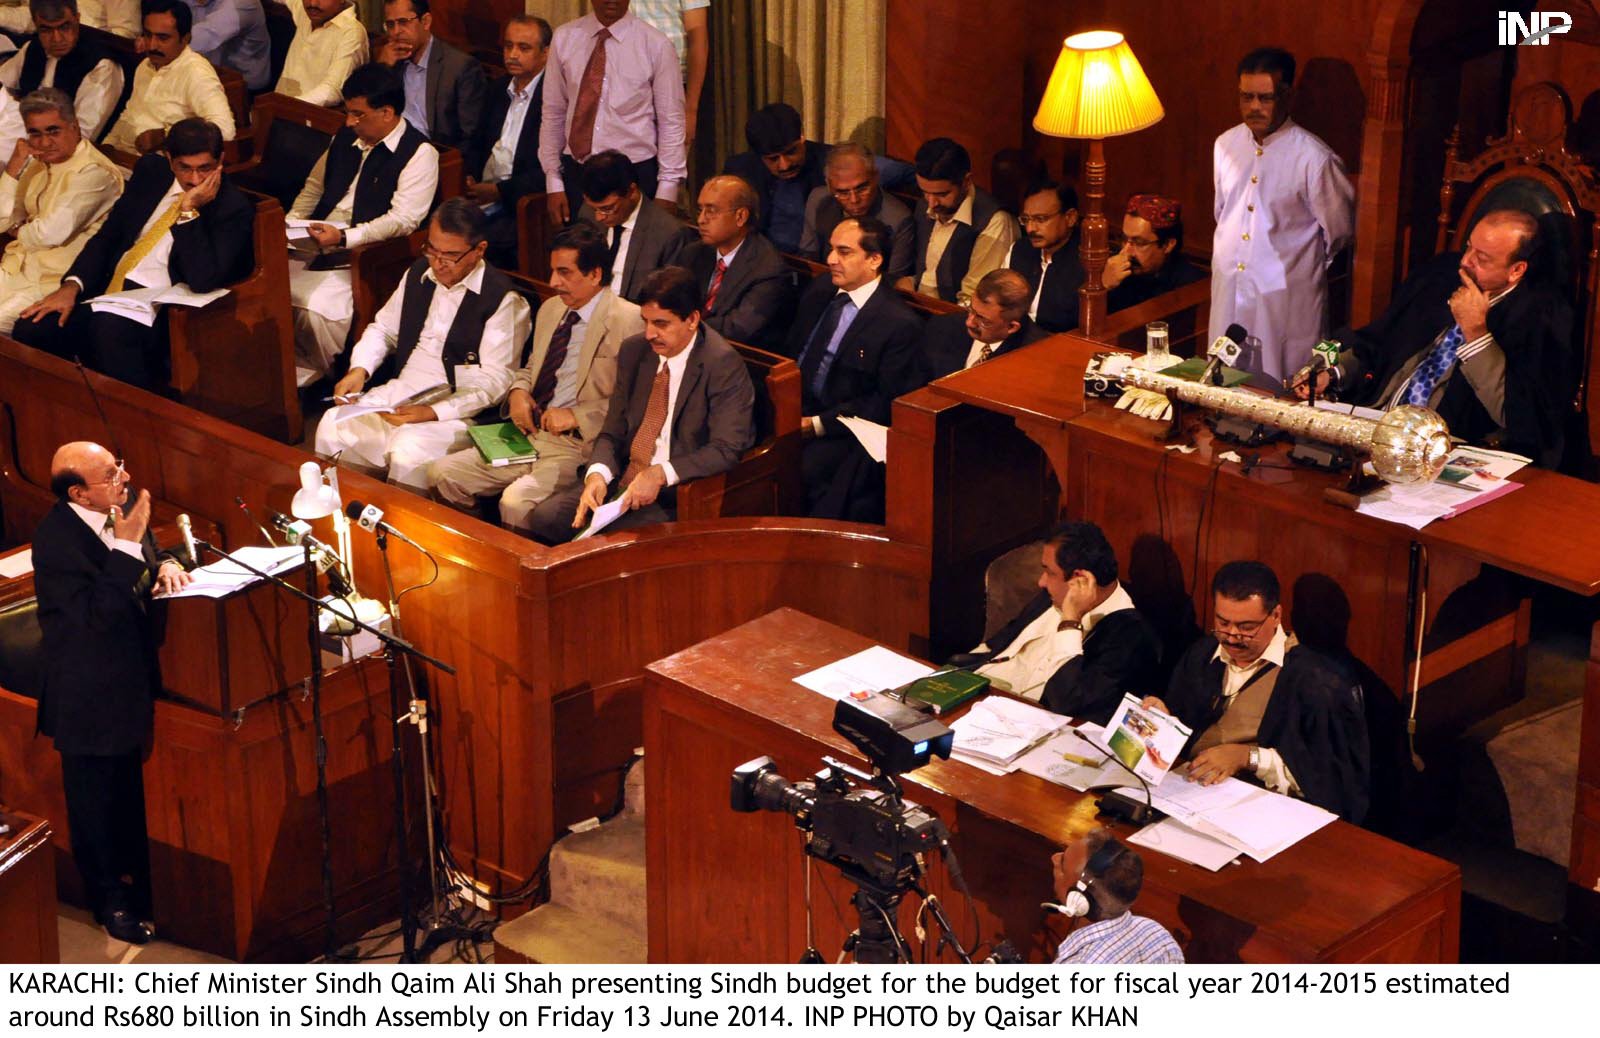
x,y
377,182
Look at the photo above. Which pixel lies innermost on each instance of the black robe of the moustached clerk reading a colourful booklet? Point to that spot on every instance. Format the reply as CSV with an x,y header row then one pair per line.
x,y
1314,721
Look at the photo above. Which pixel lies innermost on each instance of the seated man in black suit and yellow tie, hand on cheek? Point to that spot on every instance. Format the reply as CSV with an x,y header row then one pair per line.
x,y
180,222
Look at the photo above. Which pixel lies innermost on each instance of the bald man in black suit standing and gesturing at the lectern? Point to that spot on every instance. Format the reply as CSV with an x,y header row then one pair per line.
x,y
95,567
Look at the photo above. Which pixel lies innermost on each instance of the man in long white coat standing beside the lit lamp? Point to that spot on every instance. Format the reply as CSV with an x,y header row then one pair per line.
x,y
1284,210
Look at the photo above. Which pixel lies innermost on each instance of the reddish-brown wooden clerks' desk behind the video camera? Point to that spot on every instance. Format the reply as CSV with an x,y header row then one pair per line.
x,y
727,887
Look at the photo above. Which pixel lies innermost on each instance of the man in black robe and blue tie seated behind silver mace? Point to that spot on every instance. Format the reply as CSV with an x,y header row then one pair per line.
x,y
1484,338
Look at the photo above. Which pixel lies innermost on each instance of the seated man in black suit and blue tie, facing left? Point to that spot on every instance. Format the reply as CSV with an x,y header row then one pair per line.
x,y
858,349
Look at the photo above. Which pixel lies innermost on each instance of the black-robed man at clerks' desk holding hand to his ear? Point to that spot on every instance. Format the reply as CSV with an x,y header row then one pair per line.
x,y
1081,644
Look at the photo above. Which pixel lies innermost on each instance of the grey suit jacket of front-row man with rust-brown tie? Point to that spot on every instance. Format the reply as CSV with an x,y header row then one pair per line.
x,y
713,425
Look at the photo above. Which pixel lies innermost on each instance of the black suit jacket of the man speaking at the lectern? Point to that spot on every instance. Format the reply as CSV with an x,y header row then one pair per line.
x,y
98,645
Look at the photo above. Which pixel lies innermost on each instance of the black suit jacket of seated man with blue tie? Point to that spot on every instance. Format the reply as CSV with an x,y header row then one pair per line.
x,y
879,359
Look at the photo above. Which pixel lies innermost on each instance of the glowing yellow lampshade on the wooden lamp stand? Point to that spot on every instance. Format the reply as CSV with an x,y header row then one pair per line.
x,y
1097,90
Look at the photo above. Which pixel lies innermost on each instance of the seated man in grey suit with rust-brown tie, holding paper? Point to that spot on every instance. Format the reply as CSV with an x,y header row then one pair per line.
x,y
684,409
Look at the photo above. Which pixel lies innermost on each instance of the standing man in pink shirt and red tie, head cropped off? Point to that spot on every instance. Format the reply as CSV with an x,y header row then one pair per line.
x,y
614,84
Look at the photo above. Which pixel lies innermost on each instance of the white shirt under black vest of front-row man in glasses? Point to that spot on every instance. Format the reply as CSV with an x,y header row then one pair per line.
x,y
478,386
